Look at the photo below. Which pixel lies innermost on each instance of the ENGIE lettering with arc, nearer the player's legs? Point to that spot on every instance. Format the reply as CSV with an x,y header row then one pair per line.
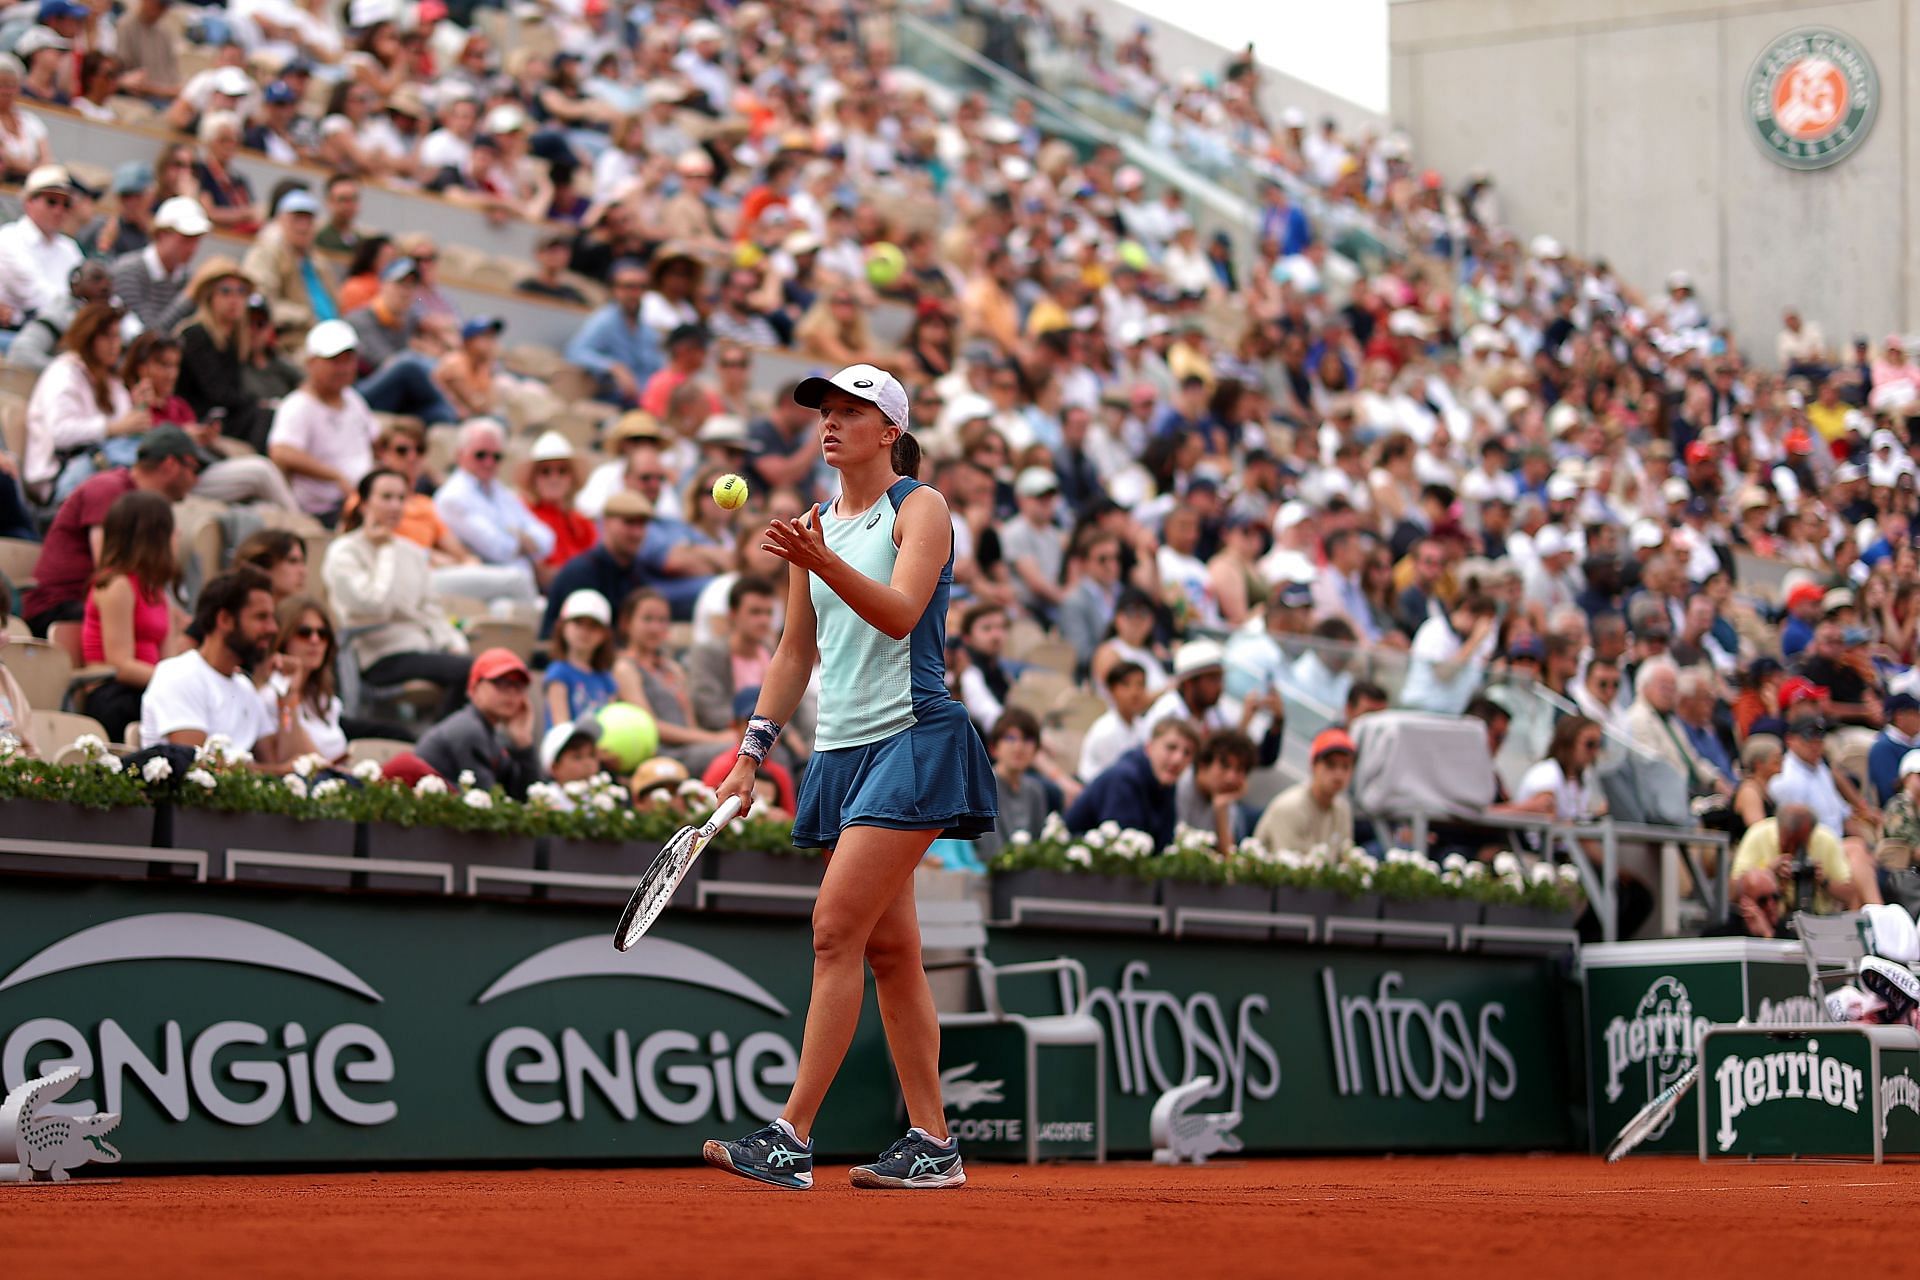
x,y
681,1078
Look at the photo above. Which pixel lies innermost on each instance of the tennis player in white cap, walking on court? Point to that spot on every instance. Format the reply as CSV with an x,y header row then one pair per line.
x,y
896,767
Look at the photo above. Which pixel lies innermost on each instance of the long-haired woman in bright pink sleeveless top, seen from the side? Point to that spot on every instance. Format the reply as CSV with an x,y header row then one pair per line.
x,y
130,619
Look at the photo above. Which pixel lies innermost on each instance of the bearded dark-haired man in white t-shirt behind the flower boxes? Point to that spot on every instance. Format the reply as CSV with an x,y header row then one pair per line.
x,y
206,692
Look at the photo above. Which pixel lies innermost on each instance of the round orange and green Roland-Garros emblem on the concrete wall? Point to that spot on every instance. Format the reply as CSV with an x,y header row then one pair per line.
x,y
1812,99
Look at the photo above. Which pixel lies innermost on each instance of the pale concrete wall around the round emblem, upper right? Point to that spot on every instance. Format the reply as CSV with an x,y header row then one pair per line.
x,y
1616,126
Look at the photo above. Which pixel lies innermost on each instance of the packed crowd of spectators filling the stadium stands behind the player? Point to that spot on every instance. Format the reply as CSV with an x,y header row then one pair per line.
x,y
1364,452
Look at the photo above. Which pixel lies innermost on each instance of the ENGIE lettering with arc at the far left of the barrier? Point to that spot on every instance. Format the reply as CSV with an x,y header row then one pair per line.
x,y
285,1070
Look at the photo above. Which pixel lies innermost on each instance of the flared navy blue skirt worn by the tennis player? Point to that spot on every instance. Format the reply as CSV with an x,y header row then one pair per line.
x,y
934,776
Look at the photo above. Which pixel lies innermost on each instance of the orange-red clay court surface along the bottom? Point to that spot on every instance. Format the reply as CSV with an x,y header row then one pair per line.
x,y
1483,1218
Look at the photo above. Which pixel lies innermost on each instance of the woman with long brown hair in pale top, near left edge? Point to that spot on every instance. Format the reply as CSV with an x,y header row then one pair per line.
x,y
82,412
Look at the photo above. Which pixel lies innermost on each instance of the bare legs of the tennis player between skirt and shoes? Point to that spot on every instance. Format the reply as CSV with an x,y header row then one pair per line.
x,y
869,872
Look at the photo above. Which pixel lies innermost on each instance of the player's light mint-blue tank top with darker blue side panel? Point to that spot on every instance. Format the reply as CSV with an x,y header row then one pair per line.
x,y
871,684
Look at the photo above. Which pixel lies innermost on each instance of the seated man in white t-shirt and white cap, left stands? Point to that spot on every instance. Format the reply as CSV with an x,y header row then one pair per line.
x,y
324,433
